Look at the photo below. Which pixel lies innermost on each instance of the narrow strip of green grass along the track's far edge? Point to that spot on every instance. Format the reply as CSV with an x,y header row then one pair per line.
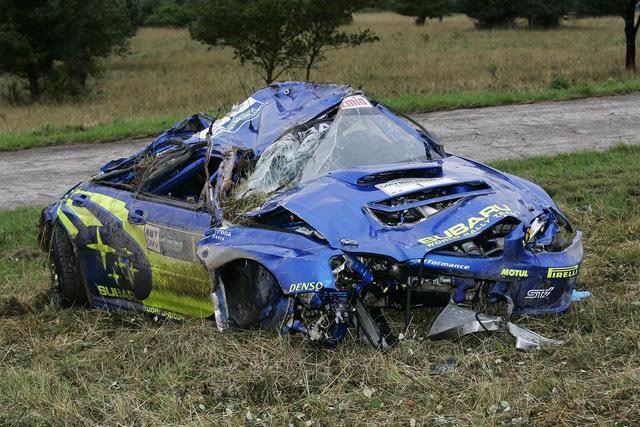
x,y
409,103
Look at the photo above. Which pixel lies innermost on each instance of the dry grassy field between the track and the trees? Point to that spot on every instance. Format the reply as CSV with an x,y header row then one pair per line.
x,y
442,65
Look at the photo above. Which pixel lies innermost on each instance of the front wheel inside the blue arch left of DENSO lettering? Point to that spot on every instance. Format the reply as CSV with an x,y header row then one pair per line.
x,y
250,290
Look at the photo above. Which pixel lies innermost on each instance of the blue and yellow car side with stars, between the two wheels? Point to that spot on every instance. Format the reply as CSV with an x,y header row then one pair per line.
x,y
137,252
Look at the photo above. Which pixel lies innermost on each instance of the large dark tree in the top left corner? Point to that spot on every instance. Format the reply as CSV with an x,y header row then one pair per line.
x,y
37,36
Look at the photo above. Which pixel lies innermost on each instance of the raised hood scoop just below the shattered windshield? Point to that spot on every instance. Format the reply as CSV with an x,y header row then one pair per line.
x,y
377,175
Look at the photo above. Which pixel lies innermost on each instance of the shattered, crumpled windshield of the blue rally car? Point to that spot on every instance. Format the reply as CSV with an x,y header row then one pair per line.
x,y
357,137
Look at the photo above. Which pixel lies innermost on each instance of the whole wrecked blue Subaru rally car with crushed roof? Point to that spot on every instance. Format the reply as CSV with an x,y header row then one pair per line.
x,y
312,209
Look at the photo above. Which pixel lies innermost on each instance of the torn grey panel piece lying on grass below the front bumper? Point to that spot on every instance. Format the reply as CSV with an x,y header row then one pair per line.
x,y
455,321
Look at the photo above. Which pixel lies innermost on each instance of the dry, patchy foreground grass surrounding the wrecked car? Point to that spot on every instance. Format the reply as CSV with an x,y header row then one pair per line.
x,y
74,366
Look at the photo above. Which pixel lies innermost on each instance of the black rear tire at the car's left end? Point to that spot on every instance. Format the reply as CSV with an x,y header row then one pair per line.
x,y
69,282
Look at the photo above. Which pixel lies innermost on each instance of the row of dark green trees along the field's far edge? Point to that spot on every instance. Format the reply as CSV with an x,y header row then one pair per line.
x,y
52,46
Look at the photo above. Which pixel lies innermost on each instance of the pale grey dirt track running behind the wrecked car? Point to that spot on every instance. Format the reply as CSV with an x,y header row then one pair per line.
x,y
38,176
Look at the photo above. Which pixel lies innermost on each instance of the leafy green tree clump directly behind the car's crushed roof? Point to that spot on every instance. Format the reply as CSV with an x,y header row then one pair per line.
x,y
276,35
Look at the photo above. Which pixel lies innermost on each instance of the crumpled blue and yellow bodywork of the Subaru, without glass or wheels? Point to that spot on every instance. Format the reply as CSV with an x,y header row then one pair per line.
x,y
152,255
